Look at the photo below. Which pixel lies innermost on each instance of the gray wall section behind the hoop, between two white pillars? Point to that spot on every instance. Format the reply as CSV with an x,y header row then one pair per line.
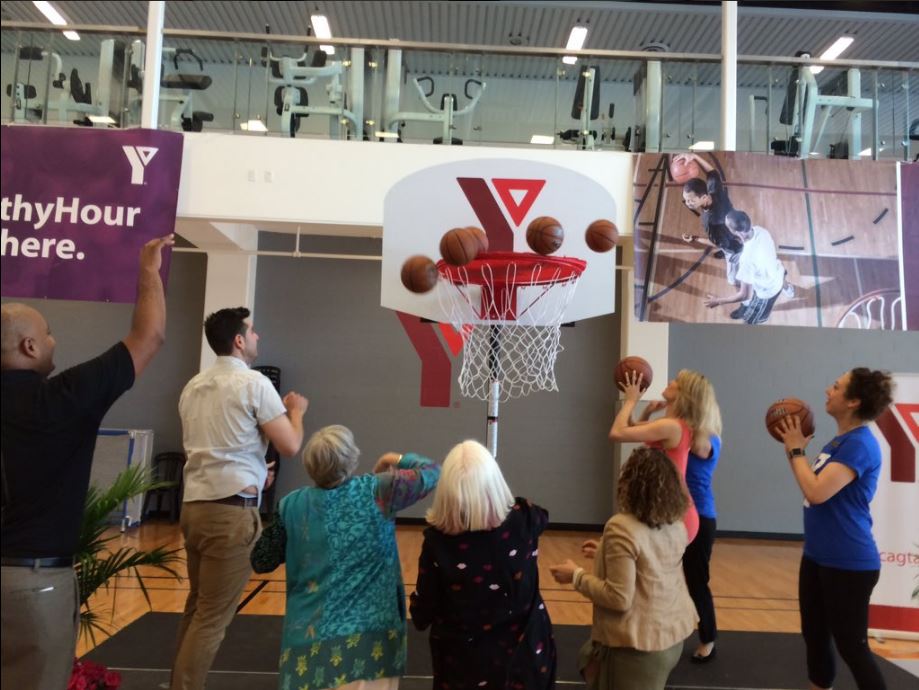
x,y
321,323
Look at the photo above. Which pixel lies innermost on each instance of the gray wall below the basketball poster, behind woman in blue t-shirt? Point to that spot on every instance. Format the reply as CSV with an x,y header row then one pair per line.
x,y
750,369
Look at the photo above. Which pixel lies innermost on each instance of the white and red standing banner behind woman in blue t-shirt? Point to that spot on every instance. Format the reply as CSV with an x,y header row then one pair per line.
x,y
895,511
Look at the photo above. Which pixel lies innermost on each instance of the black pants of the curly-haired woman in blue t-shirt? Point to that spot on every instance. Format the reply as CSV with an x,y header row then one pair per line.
x,y
834,608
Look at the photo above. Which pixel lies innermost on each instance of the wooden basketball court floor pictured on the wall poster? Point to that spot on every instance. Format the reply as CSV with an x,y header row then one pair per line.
x,y
834,224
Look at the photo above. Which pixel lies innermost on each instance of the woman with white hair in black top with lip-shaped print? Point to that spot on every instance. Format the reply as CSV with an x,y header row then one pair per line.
x,y
478,581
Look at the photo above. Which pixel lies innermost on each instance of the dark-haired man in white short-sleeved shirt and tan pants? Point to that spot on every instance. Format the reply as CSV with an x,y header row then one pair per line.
x,y
229,414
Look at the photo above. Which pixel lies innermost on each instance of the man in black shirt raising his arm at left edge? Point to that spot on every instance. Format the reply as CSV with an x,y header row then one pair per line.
x,y
49,430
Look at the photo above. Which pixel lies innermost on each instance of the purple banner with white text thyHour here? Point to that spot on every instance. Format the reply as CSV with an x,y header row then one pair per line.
x,y
77,206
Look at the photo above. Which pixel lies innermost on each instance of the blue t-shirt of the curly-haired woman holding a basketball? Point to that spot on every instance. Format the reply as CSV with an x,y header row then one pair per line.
x,y
837,532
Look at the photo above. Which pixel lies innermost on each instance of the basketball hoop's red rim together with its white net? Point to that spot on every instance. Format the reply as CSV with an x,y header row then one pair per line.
x,y
508,306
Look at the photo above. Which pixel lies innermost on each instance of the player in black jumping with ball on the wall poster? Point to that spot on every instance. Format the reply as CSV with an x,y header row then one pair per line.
x,y
710,200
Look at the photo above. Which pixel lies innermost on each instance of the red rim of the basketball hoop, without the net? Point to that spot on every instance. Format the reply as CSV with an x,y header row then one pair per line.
x,y
513,268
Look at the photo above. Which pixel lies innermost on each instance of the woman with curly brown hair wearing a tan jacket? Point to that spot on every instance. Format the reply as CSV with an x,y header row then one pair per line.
x,y
642,609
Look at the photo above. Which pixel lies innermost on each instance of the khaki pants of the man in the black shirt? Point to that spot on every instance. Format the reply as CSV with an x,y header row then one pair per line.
x,y
40,619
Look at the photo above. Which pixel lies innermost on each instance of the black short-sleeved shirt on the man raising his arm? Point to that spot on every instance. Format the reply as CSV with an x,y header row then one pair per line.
x,y
49,435
